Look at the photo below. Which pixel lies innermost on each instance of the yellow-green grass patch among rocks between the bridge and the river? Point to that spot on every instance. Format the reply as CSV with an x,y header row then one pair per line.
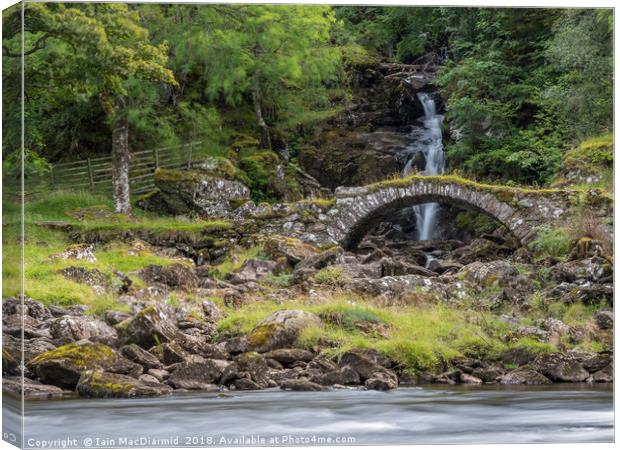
x,y
420,337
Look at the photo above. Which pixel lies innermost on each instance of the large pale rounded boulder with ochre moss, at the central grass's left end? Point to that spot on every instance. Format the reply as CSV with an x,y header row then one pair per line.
x,y
280,330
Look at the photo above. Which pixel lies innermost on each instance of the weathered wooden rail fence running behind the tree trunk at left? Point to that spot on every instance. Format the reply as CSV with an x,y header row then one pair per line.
x,y
95,174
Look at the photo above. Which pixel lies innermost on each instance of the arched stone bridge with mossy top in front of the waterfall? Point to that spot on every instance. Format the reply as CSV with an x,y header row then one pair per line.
x,y
357,209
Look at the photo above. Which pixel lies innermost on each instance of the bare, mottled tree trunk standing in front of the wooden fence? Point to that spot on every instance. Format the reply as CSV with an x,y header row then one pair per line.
x,y
120,163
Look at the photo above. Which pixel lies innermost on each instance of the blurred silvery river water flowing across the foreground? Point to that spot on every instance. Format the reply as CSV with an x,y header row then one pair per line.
x,y
434,414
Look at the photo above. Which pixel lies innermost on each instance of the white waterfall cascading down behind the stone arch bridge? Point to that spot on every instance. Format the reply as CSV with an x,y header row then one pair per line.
x,y
429,142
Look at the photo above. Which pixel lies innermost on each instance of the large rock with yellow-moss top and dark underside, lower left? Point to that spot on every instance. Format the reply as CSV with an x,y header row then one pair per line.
x,y
64,365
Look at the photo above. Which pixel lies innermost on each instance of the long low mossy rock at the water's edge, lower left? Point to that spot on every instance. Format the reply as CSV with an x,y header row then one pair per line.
x,y
98,384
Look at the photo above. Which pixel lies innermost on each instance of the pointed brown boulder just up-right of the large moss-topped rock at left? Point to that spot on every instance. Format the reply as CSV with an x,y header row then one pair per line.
x,y
147,328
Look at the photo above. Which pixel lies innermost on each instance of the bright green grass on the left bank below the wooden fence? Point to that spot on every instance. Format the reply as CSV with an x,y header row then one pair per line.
x,y
43,281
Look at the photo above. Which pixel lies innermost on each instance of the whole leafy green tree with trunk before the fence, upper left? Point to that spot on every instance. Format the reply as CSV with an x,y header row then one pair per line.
x,y
106,56
